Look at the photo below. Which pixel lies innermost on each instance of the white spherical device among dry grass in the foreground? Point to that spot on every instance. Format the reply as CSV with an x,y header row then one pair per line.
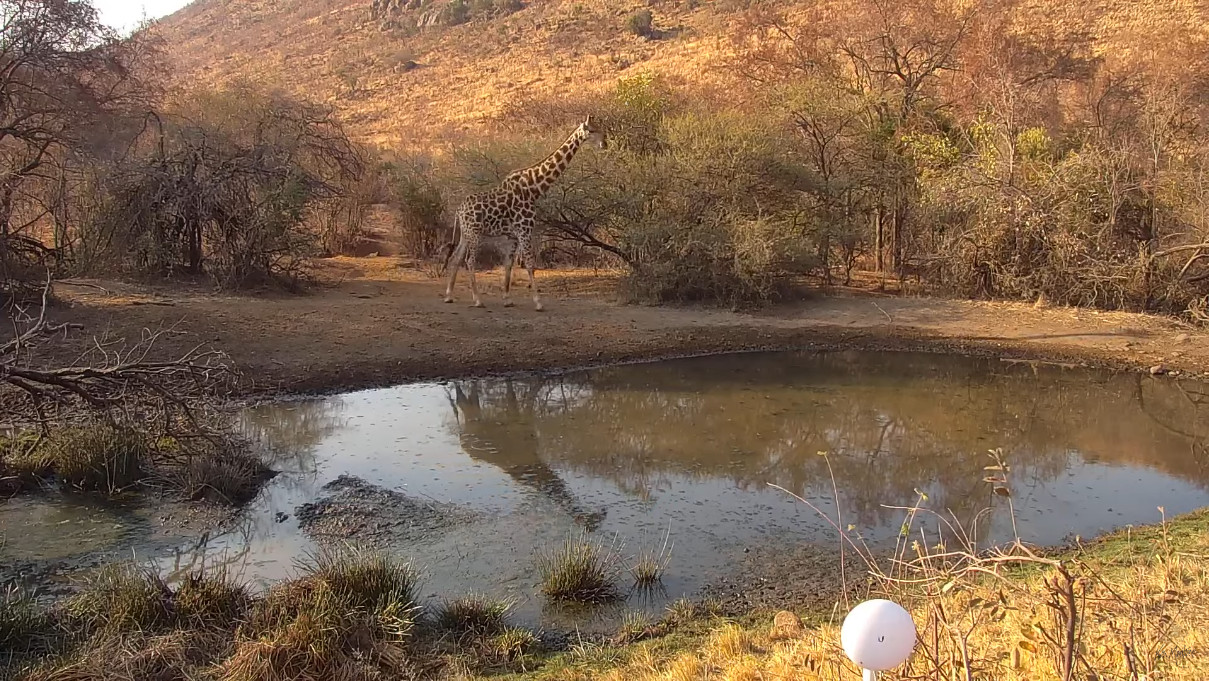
x,y
878,636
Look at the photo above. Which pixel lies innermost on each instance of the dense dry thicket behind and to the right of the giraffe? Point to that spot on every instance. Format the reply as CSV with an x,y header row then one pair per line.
x,y
984,148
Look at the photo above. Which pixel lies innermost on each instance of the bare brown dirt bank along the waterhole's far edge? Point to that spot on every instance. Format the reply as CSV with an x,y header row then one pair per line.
x,y
379,324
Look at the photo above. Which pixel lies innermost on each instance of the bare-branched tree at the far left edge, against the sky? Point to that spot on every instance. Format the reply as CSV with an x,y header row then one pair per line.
x,y
63,76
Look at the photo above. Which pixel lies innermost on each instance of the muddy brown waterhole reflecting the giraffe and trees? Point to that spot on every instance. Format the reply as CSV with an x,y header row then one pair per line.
x,y
471,478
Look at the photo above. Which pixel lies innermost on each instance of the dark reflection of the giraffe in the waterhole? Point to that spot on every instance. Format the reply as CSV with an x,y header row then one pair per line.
x,y
498,425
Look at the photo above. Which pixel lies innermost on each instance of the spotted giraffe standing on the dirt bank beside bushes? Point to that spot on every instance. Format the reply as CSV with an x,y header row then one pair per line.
x,y
504,217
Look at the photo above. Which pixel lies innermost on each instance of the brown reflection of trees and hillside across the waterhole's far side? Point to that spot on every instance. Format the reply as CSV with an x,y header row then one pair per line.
x,y
892,424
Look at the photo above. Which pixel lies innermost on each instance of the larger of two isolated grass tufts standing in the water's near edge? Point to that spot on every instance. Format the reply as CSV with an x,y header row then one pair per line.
x,y
580,570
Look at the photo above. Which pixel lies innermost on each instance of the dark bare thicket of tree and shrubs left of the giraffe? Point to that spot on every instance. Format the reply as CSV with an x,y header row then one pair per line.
x,y
103,172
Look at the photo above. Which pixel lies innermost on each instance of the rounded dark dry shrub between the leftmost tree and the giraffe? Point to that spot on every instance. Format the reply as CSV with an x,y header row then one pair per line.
x,y
241,186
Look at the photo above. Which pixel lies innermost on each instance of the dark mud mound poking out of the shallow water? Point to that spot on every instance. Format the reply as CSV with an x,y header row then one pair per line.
x,y
356,510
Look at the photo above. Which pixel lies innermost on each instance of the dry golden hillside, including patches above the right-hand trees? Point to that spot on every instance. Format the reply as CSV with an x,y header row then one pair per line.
x,y
400,73
